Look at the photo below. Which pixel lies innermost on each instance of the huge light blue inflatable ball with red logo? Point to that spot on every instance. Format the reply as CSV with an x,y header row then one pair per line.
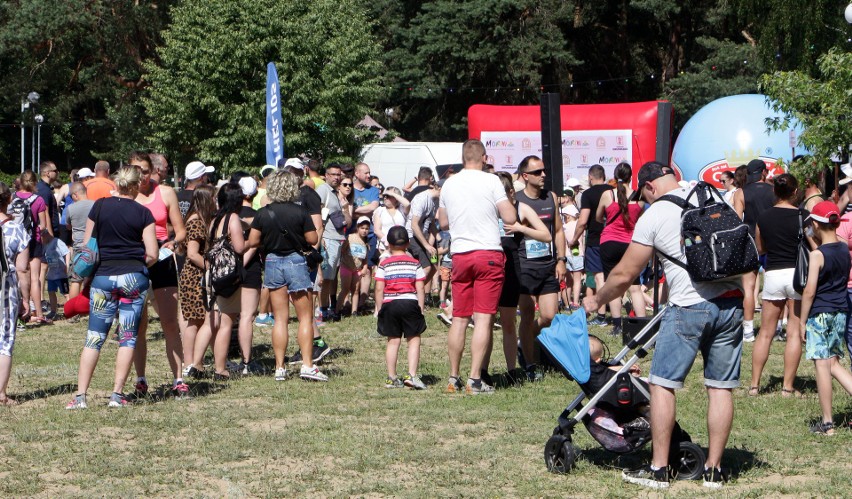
x,y
730,132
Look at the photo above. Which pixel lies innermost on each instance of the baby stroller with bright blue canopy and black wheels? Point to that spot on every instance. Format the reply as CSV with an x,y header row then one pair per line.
x,y
615,414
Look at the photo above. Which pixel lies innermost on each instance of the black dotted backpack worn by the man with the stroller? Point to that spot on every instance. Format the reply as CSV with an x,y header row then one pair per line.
x,y
716,241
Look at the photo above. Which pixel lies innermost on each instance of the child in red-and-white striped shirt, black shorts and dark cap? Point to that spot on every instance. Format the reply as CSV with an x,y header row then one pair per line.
x,y
400,292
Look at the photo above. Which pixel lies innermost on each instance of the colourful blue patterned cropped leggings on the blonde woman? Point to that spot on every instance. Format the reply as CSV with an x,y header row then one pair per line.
x,y
125,293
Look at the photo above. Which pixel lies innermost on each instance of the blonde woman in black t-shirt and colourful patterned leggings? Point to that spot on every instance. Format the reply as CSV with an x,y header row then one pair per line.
x,y
127,245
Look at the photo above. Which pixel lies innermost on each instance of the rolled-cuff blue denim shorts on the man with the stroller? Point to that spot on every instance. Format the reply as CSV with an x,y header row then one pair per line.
x,y
715,328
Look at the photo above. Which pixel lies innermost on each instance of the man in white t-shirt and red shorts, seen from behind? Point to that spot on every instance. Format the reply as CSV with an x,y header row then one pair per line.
x,y
470,206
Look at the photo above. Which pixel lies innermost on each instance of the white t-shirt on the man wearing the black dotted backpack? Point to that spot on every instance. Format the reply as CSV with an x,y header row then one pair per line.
x,y
659,227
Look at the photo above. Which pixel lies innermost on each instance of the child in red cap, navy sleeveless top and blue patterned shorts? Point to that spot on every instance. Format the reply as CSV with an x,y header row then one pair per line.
x,y
824,309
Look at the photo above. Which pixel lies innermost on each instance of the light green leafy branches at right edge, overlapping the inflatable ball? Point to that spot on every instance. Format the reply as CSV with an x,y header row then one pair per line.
x,y
822,105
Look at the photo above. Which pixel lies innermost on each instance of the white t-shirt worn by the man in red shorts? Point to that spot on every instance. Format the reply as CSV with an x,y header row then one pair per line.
x,y
470,199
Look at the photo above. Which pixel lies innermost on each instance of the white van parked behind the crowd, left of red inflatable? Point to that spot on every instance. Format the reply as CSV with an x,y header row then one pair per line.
x,y
397,163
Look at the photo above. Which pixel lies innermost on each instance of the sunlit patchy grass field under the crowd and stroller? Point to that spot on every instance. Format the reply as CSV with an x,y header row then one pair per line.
x,y
352,437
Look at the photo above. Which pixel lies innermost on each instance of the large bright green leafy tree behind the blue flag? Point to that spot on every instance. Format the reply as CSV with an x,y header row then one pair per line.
x,y
207,93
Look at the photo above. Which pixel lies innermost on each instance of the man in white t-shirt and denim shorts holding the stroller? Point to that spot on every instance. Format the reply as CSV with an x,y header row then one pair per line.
x,y
700,315
